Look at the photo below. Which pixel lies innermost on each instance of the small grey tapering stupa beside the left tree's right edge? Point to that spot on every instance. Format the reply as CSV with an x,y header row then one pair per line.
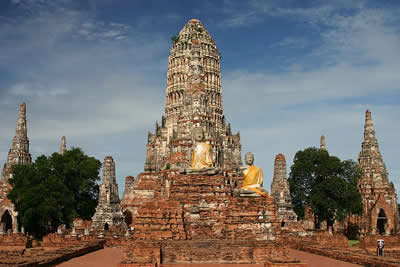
x,y
108,211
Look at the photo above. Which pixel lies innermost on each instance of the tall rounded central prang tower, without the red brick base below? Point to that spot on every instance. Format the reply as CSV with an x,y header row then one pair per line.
x,y
193,99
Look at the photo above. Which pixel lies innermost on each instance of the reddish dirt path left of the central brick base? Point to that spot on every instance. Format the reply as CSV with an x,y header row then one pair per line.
x,y
106,257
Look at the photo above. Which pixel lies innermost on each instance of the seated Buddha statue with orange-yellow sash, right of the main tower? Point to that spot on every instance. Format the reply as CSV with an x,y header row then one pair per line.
x,y
253,179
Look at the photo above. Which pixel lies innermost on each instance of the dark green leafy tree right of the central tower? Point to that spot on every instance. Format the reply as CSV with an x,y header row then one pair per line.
x,y
326,184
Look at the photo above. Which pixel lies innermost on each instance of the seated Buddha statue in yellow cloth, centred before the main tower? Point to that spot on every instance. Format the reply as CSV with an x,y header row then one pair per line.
x,y
200,158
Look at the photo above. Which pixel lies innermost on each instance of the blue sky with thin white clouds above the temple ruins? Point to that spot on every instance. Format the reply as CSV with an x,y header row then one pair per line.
x,y
95,71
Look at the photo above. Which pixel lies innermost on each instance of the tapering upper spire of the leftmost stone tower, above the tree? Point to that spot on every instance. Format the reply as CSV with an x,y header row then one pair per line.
x,y
19,151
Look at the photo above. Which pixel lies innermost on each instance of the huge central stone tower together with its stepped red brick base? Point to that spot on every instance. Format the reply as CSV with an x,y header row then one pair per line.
x,y
194,218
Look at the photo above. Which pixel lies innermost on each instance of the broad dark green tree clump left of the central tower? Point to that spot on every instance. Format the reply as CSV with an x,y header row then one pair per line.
x,y
54,190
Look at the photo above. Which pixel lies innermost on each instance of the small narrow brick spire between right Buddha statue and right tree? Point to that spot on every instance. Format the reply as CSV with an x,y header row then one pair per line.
x,y
280,192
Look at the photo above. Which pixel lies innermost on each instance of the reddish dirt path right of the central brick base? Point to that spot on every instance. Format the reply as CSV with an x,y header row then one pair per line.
x,y
313,260
